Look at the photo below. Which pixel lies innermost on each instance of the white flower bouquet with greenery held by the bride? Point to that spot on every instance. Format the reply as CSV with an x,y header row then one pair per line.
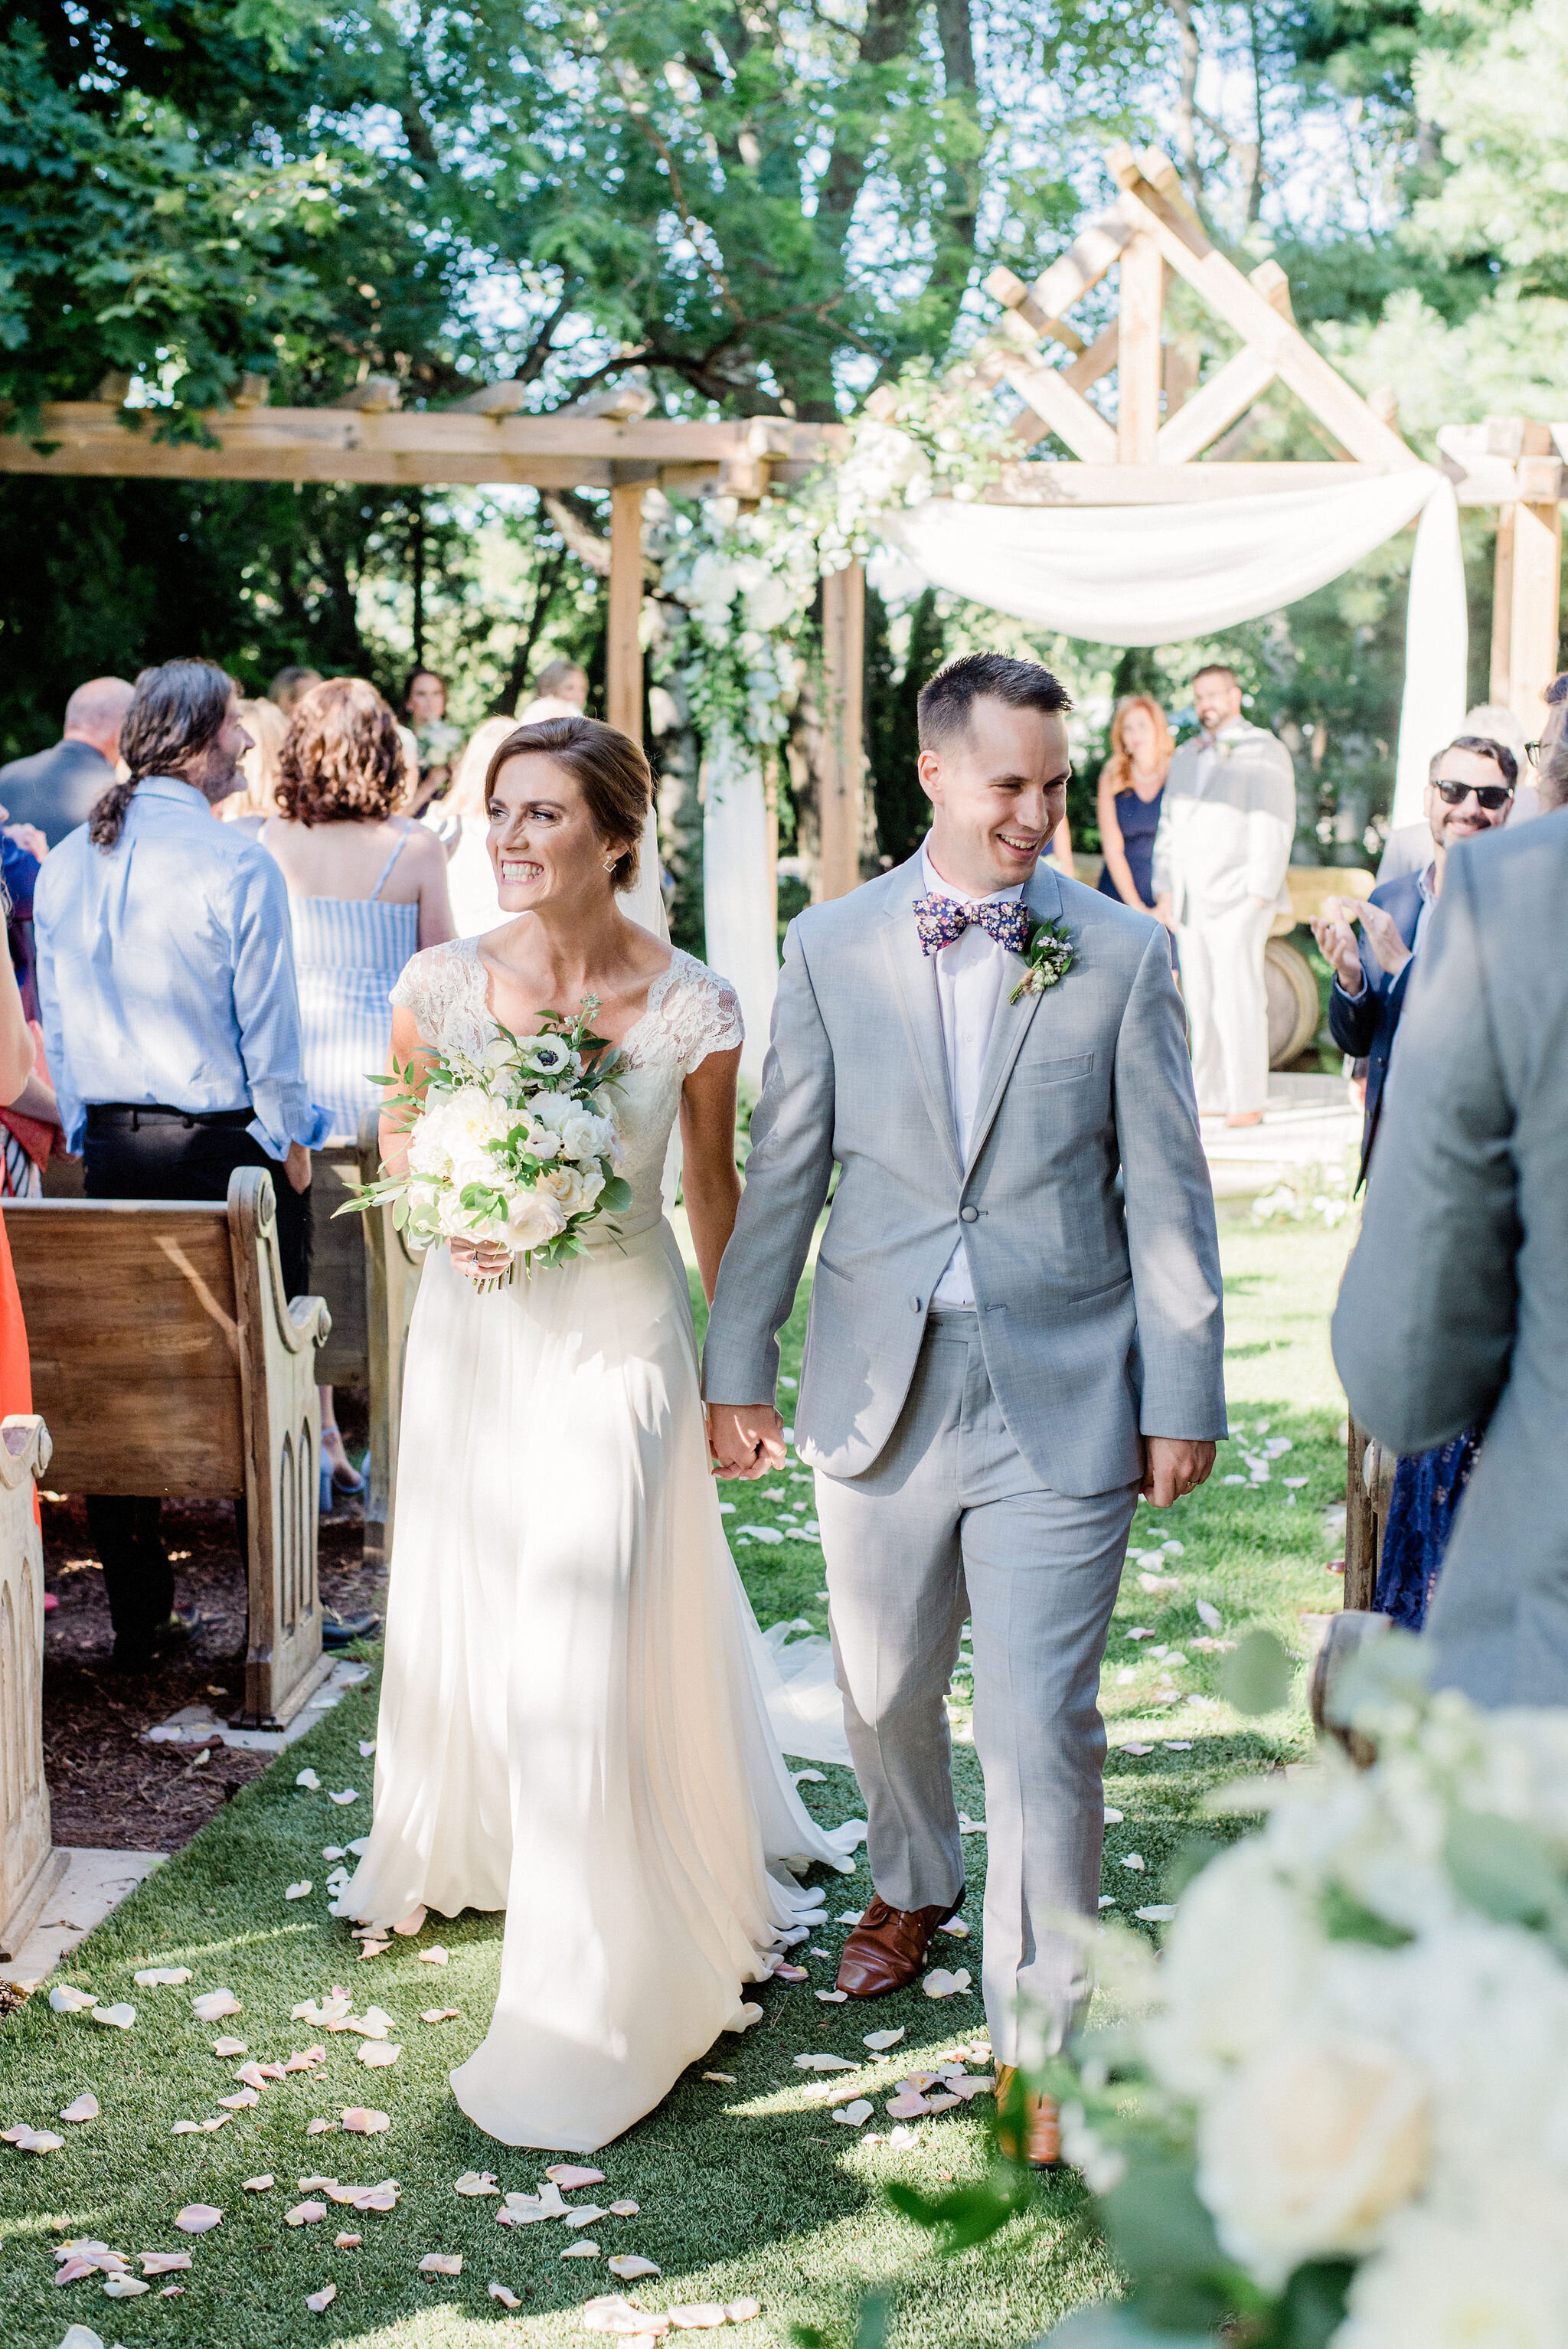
x,y
518,1147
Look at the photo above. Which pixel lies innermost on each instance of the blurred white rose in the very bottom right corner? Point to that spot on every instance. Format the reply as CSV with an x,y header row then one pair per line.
x,y
1464,2282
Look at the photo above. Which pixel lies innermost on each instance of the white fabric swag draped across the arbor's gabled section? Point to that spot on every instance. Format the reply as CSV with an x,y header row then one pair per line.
x,y
1161,574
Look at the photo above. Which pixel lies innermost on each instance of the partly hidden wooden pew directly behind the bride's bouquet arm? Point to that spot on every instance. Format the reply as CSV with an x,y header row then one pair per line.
x,y
370,1279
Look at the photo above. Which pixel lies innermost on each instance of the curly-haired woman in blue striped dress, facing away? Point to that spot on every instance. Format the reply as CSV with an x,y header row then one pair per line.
x,y
367,889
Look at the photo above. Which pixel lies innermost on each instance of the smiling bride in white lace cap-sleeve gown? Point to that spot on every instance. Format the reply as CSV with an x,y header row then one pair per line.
x,y
574,1718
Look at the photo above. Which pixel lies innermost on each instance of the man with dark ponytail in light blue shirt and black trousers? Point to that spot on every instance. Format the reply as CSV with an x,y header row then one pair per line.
x,y
173,1030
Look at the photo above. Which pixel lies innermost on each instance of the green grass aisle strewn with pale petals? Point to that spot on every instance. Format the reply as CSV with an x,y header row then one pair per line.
x,y
743,2190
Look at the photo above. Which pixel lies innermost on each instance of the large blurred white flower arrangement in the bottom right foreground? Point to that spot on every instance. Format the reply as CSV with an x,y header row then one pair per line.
x,y
1341,2120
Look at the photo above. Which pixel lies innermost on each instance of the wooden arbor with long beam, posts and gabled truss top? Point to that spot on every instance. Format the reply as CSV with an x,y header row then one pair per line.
x,y
1161,447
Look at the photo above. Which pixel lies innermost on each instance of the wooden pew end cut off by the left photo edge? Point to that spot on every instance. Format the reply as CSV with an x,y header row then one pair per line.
x,y
29,1864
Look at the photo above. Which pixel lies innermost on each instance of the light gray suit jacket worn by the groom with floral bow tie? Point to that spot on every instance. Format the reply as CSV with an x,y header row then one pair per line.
x,y
1086,1206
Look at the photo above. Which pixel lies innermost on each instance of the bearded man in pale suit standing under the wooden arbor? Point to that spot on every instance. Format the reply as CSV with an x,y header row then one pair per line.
x,y
1222,852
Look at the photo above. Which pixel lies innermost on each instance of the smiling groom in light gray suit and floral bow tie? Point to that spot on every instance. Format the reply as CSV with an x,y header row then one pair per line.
x,y
1015,1326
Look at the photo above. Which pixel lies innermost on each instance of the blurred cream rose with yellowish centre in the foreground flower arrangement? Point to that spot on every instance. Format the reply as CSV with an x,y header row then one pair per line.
x,y
1311,2148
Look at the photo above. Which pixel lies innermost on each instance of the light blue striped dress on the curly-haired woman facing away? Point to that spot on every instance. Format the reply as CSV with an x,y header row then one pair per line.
x,y
349,955
